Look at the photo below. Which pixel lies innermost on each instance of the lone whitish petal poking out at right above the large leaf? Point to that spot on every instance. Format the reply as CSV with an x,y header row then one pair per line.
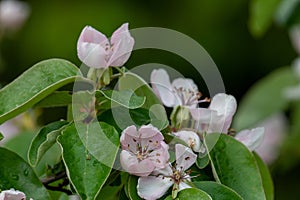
x,y
251,138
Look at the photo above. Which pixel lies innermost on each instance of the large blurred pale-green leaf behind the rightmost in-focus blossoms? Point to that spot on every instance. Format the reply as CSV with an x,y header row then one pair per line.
x,y
265,98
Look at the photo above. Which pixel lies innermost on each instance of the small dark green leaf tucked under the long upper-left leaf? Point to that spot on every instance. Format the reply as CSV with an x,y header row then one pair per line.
x,y
56,99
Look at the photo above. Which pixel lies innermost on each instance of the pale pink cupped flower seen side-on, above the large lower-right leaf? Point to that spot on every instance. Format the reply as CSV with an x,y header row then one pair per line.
x,y
218,116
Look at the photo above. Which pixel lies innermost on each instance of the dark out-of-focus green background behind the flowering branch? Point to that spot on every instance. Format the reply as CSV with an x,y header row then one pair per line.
x,y
221,27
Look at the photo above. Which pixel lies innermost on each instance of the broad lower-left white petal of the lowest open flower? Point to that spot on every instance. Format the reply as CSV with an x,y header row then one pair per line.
x,y
152,187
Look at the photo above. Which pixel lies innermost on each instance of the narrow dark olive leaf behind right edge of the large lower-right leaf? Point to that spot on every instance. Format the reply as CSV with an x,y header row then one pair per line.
x,y
266,178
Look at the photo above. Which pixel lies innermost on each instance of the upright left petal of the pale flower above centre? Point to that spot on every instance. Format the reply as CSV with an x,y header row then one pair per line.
x,y
160,82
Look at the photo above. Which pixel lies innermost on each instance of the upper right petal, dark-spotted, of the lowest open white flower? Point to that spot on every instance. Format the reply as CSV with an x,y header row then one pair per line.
x,y
185,157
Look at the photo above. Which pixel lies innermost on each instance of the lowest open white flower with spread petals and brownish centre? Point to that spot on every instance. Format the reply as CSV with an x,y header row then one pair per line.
x,y
156,185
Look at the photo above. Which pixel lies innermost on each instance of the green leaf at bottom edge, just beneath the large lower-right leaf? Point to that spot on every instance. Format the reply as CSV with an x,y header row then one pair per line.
x,y
217,190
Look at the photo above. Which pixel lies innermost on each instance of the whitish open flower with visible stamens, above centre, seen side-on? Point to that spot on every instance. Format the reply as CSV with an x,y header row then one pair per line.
x,y
181,92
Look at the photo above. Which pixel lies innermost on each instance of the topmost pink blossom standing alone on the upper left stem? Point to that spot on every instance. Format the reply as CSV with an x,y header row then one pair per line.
x,y
96,51
